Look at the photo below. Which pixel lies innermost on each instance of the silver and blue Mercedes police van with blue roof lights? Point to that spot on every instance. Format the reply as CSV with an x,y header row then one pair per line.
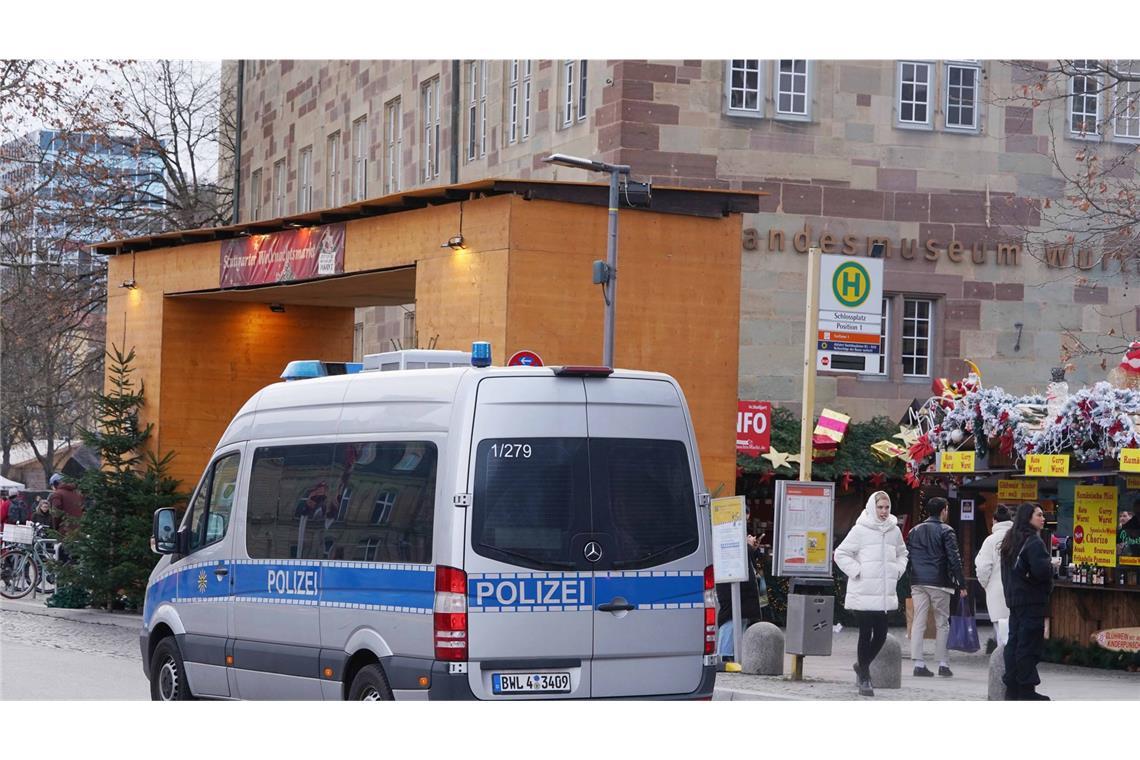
x,y
476,533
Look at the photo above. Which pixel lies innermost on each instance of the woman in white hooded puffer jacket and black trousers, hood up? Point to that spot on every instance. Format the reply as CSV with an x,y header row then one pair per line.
x,y
874,557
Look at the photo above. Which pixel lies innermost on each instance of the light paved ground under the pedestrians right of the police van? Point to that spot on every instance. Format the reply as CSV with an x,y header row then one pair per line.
x,y
833,679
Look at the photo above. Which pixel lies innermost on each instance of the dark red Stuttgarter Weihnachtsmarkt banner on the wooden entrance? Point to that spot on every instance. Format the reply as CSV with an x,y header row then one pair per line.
x,y
283,257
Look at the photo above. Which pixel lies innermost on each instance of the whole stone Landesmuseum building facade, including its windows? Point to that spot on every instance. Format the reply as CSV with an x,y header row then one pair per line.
x,y
946,162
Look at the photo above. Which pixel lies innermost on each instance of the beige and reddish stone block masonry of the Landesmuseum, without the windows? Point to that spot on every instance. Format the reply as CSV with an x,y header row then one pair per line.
x,y
948,205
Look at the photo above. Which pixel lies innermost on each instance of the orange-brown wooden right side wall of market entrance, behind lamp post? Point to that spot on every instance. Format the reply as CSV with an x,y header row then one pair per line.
x,y
678,310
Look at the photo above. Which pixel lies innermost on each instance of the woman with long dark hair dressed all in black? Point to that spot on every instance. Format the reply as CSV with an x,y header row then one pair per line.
x,y
1028,577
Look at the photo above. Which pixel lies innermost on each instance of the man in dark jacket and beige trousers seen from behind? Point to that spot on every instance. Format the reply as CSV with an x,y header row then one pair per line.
x,y
937,570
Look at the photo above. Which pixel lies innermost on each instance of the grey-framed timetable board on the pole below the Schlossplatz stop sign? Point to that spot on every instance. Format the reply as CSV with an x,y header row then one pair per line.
x,y
804,529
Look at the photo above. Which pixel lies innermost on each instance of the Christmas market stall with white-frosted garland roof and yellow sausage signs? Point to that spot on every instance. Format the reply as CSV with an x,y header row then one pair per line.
x,y
1078,456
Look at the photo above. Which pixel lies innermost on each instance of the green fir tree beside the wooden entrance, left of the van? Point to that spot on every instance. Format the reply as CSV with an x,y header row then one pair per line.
x,y
112,549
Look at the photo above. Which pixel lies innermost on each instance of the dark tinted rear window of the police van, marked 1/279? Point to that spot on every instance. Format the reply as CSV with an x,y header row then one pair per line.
x,y
535,501
